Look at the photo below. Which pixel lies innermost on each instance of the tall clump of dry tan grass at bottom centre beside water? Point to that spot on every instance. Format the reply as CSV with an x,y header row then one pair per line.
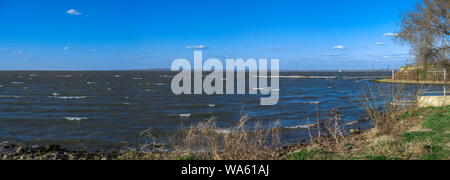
x,y
207,141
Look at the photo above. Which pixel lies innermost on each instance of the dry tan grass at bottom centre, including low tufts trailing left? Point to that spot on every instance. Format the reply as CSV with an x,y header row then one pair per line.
x,y
206,141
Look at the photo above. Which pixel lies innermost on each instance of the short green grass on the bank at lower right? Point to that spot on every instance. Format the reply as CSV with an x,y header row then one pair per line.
x,y
433,143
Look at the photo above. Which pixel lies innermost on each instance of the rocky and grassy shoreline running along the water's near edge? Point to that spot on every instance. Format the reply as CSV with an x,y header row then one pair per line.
x,y
416,131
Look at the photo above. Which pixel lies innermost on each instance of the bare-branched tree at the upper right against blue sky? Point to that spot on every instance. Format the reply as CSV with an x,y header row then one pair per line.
x,y
427,30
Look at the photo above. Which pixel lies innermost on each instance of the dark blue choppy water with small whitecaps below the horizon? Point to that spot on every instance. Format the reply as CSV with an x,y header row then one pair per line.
x,y
108,110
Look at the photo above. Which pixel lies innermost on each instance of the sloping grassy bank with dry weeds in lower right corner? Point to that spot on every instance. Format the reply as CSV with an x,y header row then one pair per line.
x,y
425,136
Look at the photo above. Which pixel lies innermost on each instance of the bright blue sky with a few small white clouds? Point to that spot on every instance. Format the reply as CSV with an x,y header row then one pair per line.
x,y
149,34
